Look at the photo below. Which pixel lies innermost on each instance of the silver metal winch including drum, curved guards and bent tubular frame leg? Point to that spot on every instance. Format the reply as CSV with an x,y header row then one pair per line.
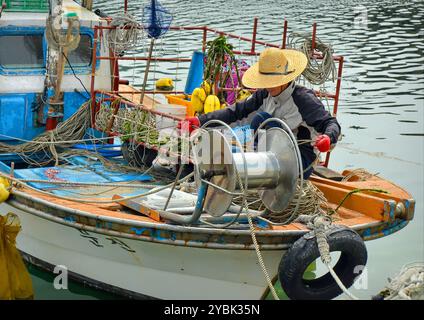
x,y
215,195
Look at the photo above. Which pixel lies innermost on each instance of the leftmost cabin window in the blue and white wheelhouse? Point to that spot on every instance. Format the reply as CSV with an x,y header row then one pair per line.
x,y
21,51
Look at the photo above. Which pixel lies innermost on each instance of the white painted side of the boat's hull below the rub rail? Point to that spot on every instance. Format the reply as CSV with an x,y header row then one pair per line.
x,y
152,269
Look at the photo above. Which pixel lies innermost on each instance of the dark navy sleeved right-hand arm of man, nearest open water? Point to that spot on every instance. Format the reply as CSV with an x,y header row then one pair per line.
x,y
315,115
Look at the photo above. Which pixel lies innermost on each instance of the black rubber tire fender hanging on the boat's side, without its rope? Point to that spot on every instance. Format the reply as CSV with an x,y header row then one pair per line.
x,y
305,250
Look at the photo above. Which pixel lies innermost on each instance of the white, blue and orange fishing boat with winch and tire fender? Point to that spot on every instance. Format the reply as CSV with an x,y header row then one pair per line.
x,y
78,157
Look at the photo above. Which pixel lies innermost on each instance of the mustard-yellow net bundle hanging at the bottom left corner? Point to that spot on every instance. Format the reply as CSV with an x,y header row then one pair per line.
x,y
15,281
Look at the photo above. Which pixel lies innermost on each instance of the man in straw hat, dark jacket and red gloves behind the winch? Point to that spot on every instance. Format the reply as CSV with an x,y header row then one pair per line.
x,y
279,97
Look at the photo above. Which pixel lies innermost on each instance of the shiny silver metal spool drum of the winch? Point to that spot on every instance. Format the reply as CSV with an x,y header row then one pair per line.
x,y
273,170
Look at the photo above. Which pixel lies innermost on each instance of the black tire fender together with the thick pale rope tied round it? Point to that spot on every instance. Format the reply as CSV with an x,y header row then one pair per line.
x,y
304,251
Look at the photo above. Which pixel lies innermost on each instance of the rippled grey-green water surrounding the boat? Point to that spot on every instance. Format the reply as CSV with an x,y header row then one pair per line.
x,y
382,101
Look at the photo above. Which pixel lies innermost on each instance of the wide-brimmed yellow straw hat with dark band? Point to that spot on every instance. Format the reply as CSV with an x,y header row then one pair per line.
x,y
275,68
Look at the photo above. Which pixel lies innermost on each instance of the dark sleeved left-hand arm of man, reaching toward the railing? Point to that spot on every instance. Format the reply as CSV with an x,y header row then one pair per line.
x,y
237,111
